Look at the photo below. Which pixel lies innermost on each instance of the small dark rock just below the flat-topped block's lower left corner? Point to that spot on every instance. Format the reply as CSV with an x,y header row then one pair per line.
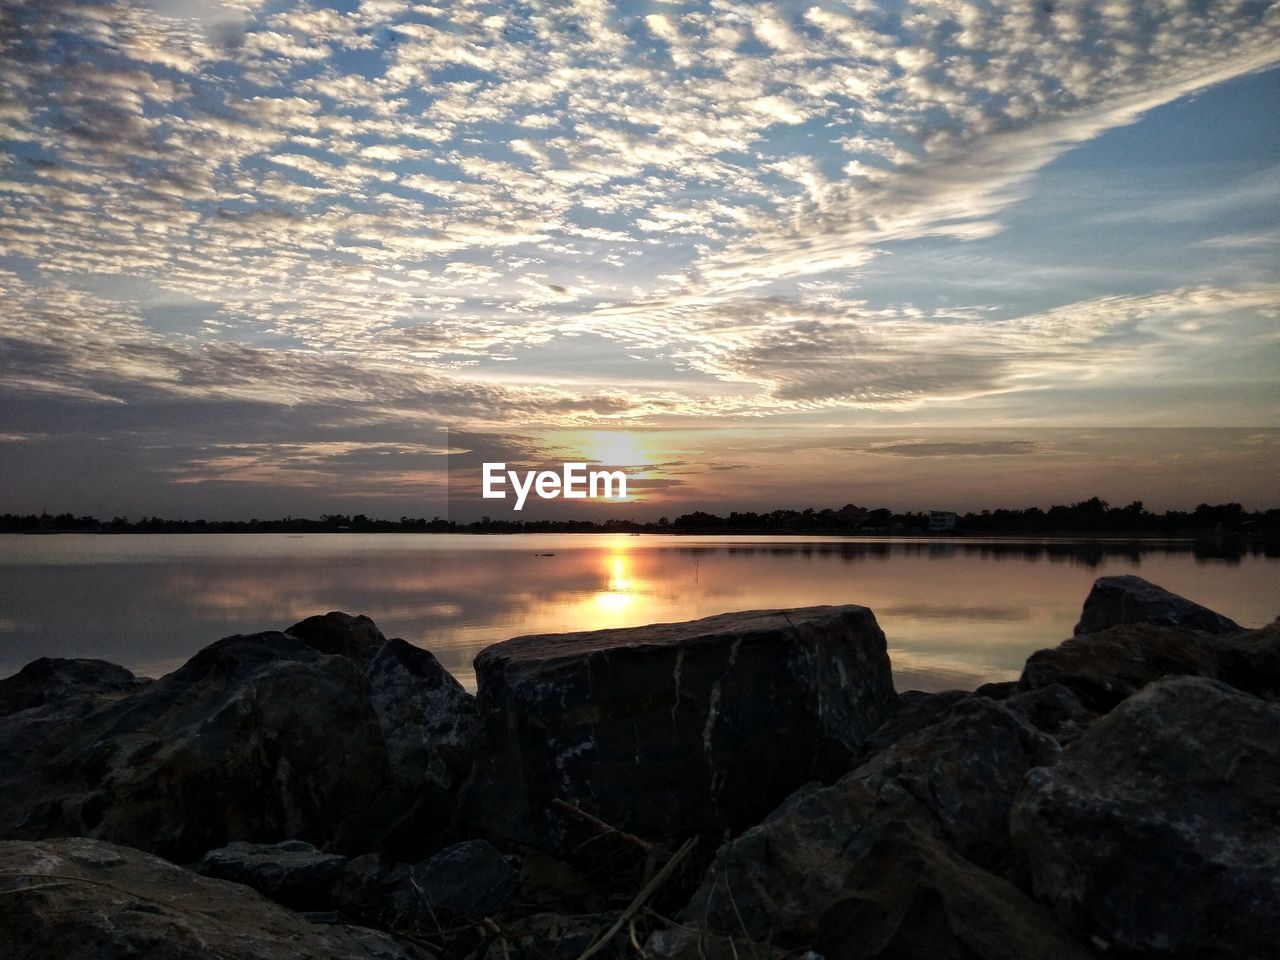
x,y
467,881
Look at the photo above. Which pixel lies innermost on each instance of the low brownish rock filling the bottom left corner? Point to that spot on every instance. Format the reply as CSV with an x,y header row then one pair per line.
x,y
88,900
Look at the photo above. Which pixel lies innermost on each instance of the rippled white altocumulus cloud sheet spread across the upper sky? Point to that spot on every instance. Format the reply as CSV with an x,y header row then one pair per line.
x,y
385,216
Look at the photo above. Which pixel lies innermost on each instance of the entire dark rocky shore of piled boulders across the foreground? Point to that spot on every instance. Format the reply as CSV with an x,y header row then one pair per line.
x,y
746,787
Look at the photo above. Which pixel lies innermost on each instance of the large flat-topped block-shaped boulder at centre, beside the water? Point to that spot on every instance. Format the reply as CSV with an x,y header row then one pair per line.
x,y
674,728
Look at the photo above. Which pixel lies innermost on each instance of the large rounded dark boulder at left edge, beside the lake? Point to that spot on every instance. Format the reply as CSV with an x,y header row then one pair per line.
x,y
257,738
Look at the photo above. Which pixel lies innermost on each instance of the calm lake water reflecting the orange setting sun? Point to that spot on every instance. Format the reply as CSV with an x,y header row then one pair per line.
x,y
957,612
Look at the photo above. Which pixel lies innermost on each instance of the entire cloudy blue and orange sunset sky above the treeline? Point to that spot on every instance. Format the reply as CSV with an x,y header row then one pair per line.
x,y
266,258
